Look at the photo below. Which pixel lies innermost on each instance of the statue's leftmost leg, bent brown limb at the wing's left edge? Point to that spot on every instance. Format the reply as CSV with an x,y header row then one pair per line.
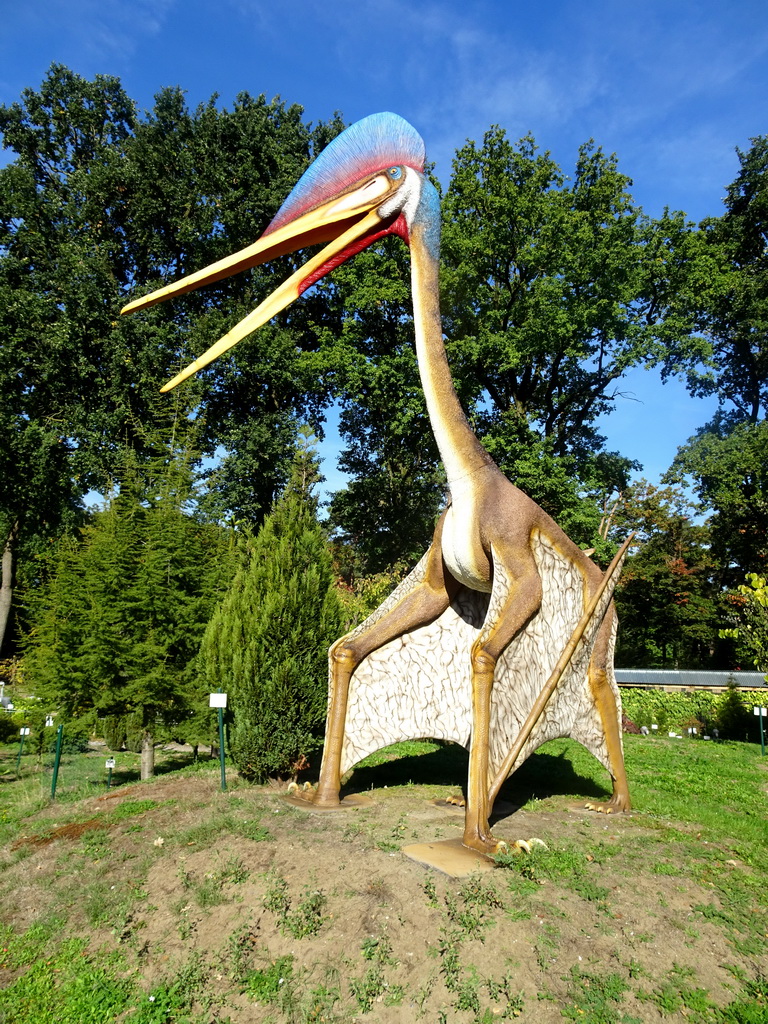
x,y
422,605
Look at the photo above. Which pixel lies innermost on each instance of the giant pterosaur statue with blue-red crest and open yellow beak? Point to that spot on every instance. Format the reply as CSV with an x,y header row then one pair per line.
x,y
502,637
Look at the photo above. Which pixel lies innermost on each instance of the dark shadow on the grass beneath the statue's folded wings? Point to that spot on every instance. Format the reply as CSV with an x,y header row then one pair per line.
x,y
541,777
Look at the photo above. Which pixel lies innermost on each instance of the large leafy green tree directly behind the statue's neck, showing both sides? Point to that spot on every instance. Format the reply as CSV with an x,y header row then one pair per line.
x,y
551,290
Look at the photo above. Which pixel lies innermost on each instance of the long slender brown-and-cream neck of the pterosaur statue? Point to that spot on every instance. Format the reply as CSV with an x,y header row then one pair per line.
x,y
462,454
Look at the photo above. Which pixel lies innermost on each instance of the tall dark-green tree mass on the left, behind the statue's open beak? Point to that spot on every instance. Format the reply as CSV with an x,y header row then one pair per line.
x,y
98,200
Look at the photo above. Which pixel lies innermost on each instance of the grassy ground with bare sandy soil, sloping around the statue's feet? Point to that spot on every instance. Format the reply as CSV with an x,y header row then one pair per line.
x,y
172,903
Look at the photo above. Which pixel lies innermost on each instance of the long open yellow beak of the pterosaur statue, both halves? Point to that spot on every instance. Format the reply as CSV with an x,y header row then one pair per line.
x,y
343,222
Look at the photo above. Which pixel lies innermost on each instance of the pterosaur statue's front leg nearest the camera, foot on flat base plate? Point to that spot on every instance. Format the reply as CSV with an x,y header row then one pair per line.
x,y
517,598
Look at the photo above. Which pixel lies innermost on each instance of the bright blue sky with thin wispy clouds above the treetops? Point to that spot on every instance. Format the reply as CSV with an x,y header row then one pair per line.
x,y
672,87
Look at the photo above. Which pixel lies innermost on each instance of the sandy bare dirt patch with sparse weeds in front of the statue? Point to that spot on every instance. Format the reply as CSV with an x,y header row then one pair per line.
x,y
246,886
